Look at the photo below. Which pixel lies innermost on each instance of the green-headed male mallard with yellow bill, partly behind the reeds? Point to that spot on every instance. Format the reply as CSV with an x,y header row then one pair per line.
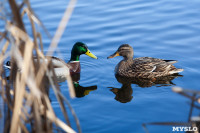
x,y
59,65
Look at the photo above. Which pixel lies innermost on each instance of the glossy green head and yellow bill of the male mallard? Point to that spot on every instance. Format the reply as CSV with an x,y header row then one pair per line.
x,y
78,49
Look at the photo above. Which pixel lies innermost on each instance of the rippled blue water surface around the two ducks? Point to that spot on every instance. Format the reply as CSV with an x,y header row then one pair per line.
x,y
164,29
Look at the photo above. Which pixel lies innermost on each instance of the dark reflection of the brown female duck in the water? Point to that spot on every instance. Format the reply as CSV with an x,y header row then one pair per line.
x,y
124,94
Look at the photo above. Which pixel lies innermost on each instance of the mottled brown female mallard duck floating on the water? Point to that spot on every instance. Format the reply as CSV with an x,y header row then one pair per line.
x,y
143,67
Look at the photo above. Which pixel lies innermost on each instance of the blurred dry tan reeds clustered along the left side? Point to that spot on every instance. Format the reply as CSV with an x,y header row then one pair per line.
x,y
25,94
